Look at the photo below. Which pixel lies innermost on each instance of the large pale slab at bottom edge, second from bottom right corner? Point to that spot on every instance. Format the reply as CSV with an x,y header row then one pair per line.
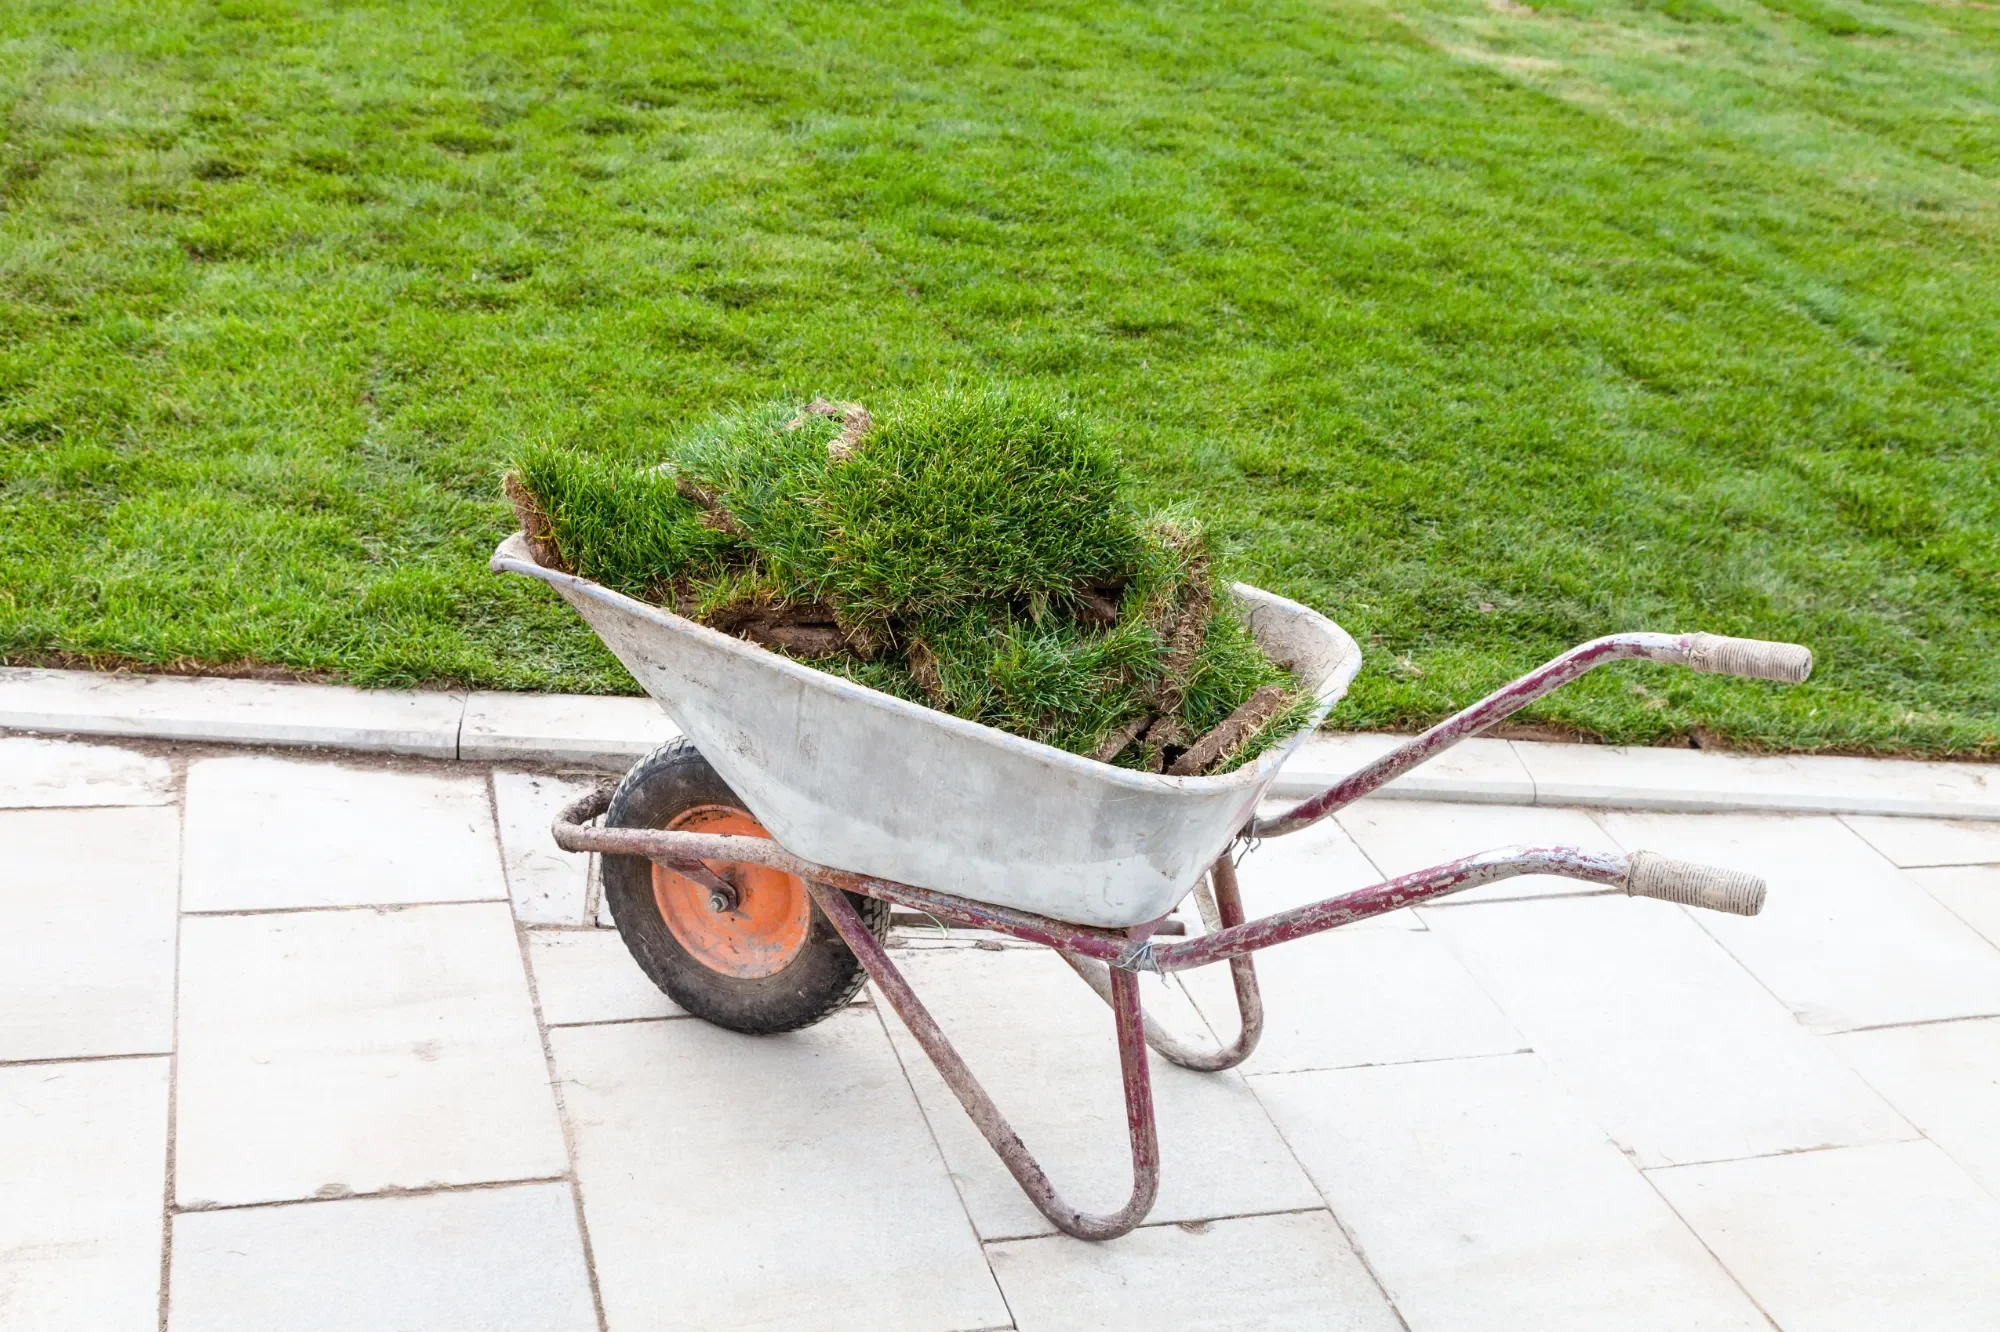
x,y
1485,1199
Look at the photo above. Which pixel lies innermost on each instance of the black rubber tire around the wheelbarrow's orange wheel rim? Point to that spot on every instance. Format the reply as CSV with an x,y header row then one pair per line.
x,y
815,985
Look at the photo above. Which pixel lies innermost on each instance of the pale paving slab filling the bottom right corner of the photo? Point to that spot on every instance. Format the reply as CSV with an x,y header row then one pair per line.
x,y
1851,1241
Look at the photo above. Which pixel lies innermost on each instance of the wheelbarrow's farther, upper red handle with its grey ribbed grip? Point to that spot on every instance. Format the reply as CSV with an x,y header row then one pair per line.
x,y
1711,653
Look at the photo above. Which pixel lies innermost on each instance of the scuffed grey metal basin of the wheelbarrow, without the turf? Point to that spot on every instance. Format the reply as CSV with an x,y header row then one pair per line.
x,y
867,783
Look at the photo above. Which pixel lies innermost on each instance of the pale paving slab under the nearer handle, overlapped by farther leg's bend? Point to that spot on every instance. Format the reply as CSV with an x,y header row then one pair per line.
x,y
1359,997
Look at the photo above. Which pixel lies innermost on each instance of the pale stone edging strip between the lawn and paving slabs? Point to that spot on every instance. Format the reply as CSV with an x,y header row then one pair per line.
x,y
611,733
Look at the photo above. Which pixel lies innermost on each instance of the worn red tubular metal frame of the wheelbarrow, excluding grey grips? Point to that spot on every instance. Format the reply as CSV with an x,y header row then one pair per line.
x,y
1111,961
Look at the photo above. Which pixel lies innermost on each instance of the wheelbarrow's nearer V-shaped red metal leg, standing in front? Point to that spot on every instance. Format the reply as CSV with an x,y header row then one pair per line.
x,y
1013,1153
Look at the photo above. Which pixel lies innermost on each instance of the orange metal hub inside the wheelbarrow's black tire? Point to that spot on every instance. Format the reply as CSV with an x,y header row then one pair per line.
x,y
761,931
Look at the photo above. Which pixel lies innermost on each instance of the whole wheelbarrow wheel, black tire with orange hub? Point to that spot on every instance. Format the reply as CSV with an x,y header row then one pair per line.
x,y
749,949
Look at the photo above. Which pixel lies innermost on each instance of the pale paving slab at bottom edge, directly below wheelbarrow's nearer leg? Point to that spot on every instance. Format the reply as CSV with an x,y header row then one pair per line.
x,y
1291,1273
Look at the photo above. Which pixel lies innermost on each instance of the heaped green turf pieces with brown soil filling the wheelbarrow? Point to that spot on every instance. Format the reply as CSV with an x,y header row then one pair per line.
x,y
967,551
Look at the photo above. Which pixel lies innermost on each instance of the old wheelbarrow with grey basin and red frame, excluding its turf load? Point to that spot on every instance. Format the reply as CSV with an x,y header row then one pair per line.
x,y
751,865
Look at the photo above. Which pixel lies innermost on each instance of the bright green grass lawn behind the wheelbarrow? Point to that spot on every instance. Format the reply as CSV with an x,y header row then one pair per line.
x,y
1483,329
